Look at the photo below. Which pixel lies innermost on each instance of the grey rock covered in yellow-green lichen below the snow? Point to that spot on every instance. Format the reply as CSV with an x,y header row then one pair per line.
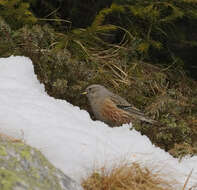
x,y
23,168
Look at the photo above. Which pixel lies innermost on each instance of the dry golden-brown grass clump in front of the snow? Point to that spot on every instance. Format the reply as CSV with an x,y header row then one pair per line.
x,y
126,177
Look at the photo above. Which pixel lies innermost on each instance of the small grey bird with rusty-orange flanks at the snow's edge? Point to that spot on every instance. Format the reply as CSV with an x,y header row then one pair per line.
x,y
111,108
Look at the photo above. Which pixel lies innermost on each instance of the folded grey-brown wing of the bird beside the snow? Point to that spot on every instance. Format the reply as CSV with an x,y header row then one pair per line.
x,y
126,106
